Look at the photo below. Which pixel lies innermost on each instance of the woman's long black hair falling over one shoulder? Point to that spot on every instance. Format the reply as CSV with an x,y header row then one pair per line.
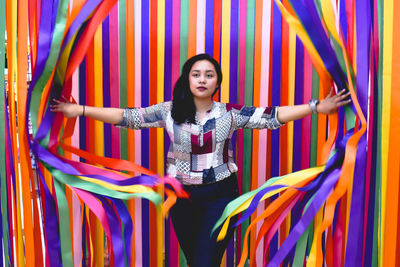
x,y
183,109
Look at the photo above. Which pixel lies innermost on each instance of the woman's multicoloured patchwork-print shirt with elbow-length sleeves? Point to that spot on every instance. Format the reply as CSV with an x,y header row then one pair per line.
x,y
201,153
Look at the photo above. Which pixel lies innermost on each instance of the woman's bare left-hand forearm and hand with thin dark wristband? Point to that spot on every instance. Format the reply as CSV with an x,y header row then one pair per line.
x,y
71,110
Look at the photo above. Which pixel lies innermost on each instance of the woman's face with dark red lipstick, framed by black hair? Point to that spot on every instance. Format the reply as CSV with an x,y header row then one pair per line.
x,y
203,79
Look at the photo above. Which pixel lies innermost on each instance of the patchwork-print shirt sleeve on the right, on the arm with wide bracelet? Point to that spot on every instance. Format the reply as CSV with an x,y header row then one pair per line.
x,y
246,117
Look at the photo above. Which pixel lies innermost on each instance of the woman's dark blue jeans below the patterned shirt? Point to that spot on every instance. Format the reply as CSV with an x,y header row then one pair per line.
x,y
194,219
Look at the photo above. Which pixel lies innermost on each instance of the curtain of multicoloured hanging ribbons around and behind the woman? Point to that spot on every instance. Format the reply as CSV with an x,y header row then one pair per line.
x,y
321,190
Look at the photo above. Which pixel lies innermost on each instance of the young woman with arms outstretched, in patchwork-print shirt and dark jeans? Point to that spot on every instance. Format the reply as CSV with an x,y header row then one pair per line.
x,y
200,155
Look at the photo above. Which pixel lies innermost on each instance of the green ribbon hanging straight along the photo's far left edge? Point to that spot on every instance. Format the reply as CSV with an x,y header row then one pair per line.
x,y
4,200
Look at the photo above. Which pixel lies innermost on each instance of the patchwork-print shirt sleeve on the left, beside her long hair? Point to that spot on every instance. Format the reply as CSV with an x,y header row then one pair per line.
x,y
150,117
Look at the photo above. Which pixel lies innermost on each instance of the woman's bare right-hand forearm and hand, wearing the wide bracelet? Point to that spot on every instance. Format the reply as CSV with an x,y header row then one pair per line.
x,y
328,106
